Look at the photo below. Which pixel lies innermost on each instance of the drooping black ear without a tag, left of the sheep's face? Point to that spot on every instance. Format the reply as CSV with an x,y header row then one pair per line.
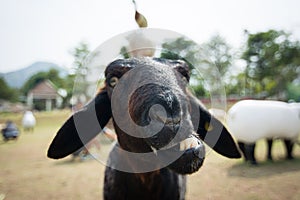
x,y
81,127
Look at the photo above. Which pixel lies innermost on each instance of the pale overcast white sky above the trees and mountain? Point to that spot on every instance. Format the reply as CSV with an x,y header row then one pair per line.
x,y
47,30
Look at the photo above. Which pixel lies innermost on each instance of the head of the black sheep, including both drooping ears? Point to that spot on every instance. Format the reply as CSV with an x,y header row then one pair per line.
x,y
152,112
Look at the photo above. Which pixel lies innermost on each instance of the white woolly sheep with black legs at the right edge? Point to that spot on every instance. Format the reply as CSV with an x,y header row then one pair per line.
x,y
251,120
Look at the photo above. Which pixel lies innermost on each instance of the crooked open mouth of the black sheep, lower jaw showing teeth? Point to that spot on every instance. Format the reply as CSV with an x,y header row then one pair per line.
x,y
190,155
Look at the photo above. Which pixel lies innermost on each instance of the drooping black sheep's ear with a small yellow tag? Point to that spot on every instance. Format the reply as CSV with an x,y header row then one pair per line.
x,y
212,131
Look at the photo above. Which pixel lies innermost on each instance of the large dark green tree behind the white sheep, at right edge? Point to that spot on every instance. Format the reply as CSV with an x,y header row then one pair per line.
x,y
273,61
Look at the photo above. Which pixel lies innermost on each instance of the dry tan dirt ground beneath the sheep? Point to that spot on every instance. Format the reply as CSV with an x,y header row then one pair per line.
x,y
26,173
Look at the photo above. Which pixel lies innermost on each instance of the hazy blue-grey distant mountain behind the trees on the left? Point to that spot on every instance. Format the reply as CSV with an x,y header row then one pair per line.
x,y
17,78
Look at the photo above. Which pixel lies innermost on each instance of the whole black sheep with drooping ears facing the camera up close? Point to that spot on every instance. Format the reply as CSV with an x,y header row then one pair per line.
x,y
155,118
